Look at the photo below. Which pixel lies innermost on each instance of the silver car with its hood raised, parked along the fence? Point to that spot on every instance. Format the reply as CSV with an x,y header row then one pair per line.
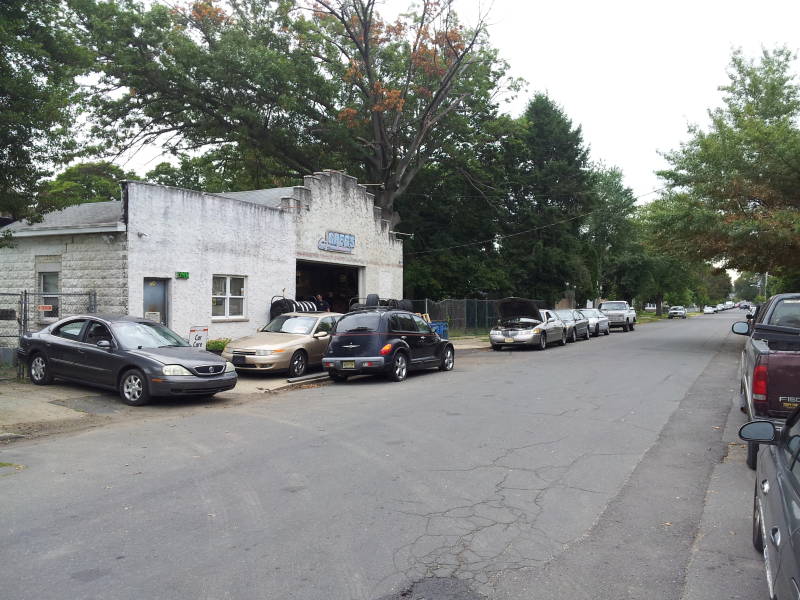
x,y
523,323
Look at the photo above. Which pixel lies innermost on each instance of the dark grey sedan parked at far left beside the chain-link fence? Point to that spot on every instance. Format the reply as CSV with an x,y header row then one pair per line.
x,y
137,357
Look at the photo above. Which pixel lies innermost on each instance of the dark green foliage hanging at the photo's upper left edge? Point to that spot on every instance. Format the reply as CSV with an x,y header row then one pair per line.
x,y
39,60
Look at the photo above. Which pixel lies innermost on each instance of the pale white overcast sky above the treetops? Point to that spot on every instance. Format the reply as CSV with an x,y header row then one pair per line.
x,y
632,73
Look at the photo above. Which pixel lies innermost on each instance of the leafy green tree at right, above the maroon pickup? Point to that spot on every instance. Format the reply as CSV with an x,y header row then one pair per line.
x,y
734,186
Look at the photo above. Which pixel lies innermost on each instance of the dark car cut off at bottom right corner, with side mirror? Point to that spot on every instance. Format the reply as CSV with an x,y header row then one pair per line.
x,y
776,518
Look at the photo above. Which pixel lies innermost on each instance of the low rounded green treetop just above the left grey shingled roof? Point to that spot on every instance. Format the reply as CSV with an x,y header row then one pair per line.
x,y
83,182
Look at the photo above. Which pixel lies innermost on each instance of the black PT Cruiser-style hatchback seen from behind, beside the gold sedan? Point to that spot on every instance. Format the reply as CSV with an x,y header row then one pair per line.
x,y
390,342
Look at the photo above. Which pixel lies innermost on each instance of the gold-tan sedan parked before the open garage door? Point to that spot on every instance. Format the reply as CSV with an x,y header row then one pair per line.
x,y
289,343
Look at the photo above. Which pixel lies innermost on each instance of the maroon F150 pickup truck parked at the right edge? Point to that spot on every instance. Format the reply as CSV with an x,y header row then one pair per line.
x,y
769,369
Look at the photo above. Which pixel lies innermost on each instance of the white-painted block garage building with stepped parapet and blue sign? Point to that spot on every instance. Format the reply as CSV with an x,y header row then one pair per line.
x,y
189,258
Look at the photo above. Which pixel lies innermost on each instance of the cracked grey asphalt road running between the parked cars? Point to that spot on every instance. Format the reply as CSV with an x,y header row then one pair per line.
x,y
578,472
